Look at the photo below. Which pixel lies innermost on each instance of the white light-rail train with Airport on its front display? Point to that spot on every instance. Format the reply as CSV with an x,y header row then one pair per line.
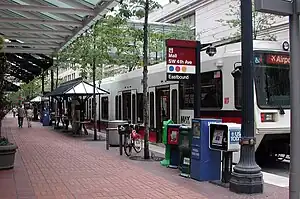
x,y
271,94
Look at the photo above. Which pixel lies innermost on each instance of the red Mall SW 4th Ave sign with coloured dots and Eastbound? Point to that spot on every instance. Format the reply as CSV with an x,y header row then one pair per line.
x,y
181,59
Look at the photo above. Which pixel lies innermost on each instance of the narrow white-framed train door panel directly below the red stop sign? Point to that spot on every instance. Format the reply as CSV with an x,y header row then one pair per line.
x,y
174,103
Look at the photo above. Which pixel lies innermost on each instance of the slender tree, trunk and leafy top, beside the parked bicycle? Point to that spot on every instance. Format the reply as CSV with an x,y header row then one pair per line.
x,y
141,8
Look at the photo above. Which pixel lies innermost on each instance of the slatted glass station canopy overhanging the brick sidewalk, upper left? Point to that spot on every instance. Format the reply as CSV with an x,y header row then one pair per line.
x,y
35,30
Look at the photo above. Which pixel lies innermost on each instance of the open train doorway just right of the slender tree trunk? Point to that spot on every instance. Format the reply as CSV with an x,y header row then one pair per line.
x,y
162,108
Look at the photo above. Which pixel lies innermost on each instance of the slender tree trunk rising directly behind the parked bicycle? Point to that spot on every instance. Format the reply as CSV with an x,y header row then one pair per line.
x,y
145,83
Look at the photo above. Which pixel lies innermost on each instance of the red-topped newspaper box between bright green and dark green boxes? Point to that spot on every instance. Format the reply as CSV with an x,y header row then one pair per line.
x,y
173,141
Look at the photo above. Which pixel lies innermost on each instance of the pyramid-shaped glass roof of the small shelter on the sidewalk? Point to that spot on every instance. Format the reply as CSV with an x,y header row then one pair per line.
x,y
76,87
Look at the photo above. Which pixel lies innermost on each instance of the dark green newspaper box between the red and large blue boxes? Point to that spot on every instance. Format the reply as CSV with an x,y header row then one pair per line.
x,y
185,141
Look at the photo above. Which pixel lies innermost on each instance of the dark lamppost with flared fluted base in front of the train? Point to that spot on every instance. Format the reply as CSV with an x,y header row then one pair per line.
x,y
247,176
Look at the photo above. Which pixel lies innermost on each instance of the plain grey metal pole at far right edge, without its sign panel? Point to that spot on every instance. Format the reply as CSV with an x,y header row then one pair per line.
x,y
295,101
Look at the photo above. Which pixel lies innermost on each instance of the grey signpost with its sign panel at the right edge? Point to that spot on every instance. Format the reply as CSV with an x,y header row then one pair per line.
x,y
291,9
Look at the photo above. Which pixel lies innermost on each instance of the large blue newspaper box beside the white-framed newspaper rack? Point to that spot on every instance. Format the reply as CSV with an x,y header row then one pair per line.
x,y
205,163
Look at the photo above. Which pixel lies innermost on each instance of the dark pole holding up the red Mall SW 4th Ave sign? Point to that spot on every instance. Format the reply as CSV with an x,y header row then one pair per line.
x,y
197,84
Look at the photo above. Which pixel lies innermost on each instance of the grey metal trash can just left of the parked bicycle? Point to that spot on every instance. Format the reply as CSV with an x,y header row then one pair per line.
x,y
112,130
